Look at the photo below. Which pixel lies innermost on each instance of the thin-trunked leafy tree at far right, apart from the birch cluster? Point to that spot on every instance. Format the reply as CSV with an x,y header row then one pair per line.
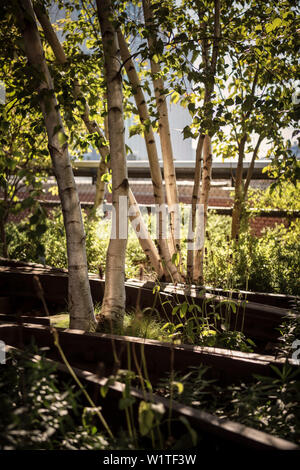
x,y
259,105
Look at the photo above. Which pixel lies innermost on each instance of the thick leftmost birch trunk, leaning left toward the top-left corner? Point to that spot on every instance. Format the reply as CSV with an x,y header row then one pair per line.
x,y
80,300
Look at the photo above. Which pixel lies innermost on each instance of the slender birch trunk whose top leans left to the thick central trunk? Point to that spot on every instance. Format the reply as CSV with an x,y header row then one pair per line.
x,y
169,268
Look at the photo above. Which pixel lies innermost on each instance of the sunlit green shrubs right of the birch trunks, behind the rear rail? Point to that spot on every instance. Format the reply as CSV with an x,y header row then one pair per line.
x,y
269,264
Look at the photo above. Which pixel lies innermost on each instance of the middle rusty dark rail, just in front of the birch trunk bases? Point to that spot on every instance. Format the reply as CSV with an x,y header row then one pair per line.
x,y
95,351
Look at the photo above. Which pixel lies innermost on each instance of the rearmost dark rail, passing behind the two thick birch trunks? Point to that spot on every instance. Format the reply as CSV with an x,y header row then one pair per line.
x,y
259,321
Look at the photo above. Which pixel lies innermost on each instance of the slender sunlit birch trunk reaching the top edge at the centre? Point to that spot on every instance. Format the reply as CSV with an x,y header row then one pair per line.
x,y
165,140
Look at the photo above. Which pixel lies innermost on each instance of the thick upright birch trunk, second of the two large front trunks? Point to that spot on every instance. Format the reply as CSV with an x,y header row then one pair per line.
x,y
113,306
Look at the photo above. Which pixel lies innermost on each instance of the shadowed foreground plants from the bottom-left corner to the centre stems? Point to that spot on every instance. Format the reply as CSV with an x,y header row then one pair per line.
x,y
42,412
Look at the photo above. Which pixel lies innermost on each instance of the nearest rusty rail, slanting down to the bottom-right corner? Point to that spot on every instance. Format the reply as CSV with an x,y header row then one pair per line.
x,y
214,432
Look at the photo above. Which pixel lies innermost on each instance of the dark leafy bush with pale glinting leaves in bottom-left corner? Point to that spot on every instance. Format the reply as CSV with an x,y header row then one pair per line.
x,y
40,413
